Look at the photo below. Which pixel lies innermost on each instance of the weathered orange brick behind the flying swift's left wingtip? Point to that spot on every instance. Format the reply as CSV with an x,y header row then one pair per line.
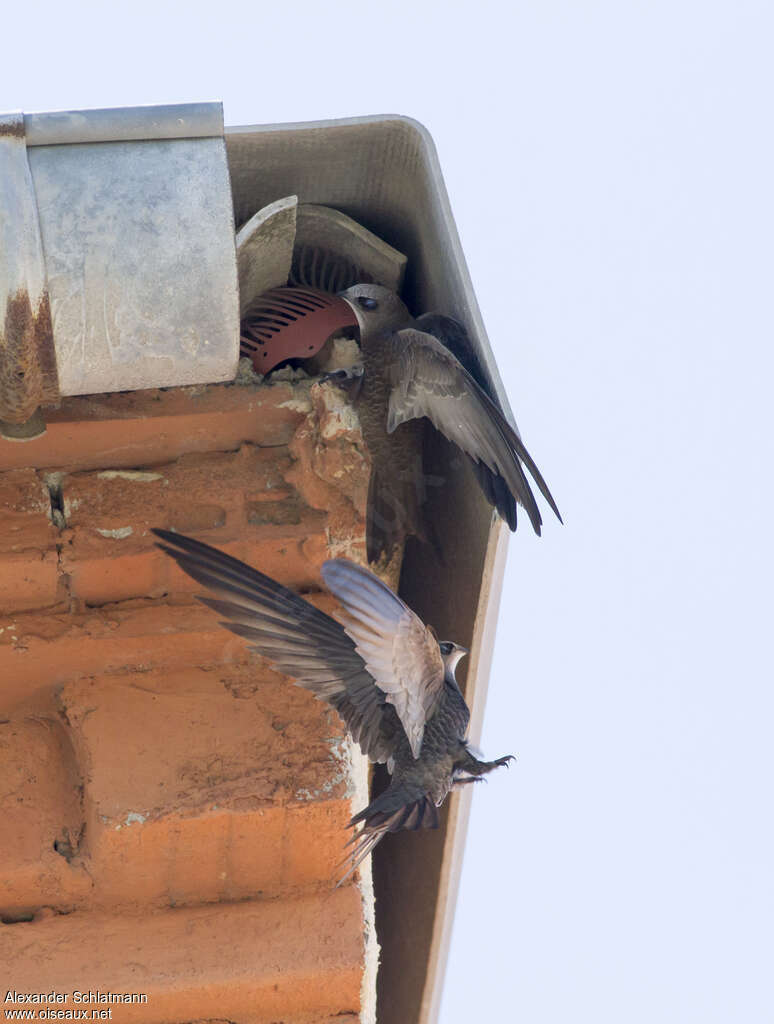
x,y
239,501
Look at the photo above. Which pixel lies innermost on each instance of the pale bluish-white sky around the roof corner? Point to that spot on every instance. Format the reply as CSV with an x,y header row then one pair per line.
x,y
611,167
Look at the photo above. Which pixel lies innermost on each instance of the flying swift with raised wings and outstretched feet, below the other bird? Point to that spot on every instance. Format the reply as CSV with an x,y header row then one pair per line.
x,y
377,664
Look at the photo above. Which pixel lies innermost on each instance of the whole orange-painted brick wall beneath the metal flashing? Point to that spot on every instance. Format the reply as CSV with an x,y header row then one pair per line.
x,y
174,809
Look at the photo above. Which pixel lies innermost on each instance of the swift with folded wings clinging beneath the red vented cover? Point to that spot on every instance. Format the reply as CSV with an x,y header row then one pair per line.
x,y
415,369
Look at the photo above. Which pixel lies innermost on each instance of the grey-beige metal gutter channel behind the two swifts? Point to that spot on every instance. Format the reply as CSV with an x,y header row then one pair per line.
x,y
384,173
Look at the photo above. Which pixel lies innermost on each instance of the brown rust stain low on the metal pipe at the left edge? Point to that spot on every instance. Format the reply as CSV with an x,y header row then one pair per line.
x,y
28,362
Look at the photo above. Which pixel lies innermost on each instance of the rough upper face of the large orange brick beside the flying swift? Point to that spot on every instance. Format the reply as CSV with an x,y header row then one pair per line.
x,y
193,744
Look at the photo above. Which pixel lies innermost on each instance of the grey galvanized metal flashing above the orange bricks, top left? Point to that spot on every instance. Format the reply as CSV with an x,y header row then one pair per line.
x,y
134,231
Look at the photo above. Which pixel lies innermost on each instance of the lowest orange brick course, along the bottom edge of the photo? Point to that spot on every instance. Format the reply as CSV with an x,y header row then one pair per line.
x,y
254,962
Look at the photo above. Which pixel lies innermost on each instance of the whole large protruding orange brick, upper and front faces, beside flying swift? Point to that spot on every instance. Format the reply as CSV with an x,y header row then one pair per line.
x,y
236,777
